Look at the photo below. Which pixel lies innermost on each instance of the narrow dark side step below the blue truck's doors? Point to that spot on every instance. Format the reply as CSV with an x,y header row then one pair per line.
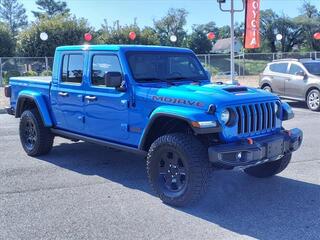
x,y
72,136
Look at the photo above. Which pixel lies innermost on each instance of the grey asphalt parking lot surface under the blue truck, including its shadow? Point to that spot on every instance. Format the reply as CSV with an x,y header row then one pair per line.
x,y
82,191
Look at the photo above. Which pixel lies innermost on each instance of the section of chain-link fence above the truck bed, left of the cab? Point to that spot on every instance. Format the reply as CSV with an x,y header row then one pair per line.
x,y
24,66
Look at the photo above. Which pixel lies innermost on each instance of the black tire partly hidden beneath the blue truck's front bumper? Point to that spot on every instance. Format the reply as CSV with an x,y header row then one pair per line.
x,y
269,169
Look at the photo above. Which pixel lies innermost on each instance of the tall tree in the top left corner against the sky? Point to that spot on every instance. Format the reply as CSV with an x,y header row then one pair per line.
x,y
14,14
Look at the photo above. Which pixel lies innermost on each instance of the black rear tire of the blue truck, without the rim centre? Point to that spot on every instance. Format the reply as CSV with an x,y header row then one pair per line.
x,y
44,138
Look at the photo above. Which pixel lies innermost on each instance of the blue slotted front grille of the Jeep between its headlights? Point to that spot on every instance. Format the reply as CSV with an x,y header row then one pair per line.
x,y
256,118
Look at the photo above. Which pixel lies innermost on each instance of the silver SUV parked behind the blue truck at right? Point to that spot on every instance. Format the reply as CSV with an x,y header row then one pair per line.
x,y
294,79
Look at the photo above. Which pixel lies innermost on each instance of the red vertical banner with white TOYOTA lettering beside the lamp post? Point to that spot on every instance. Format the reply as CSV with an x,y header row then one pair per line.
x,y
252,30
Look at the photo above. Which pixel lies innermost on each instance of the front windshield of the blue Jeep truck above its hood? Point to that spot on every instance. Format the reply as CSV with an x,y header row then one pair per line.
x,y
165,66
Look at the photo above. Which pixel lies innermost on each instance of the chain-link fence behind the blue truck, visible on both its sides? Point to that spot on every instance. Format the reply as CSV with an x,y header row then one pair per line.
x,y
248,65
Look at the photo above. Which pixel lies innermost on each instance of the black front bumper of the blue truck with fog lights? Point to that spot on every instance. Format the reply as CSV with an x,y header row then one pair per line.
x,y
258,151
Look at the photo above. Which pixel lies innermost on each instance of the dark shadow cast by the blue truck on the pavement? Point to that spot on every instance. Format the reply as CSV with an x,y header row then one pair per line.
x,y
275,208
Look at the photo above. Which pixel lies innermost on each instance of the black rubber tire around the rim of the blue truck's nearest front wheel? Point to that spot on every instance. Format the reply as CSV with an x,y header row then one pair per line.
x,y
197,168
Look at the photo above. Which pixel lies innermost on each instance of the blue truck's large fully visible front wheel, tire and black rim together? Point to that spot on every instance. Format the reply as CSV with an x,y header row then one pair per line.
x,y
178,169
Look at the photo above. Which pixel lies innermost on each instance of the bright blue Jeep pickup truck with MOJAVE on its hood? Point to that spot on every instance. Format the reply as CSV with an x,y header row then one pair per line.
x,y
159,102
